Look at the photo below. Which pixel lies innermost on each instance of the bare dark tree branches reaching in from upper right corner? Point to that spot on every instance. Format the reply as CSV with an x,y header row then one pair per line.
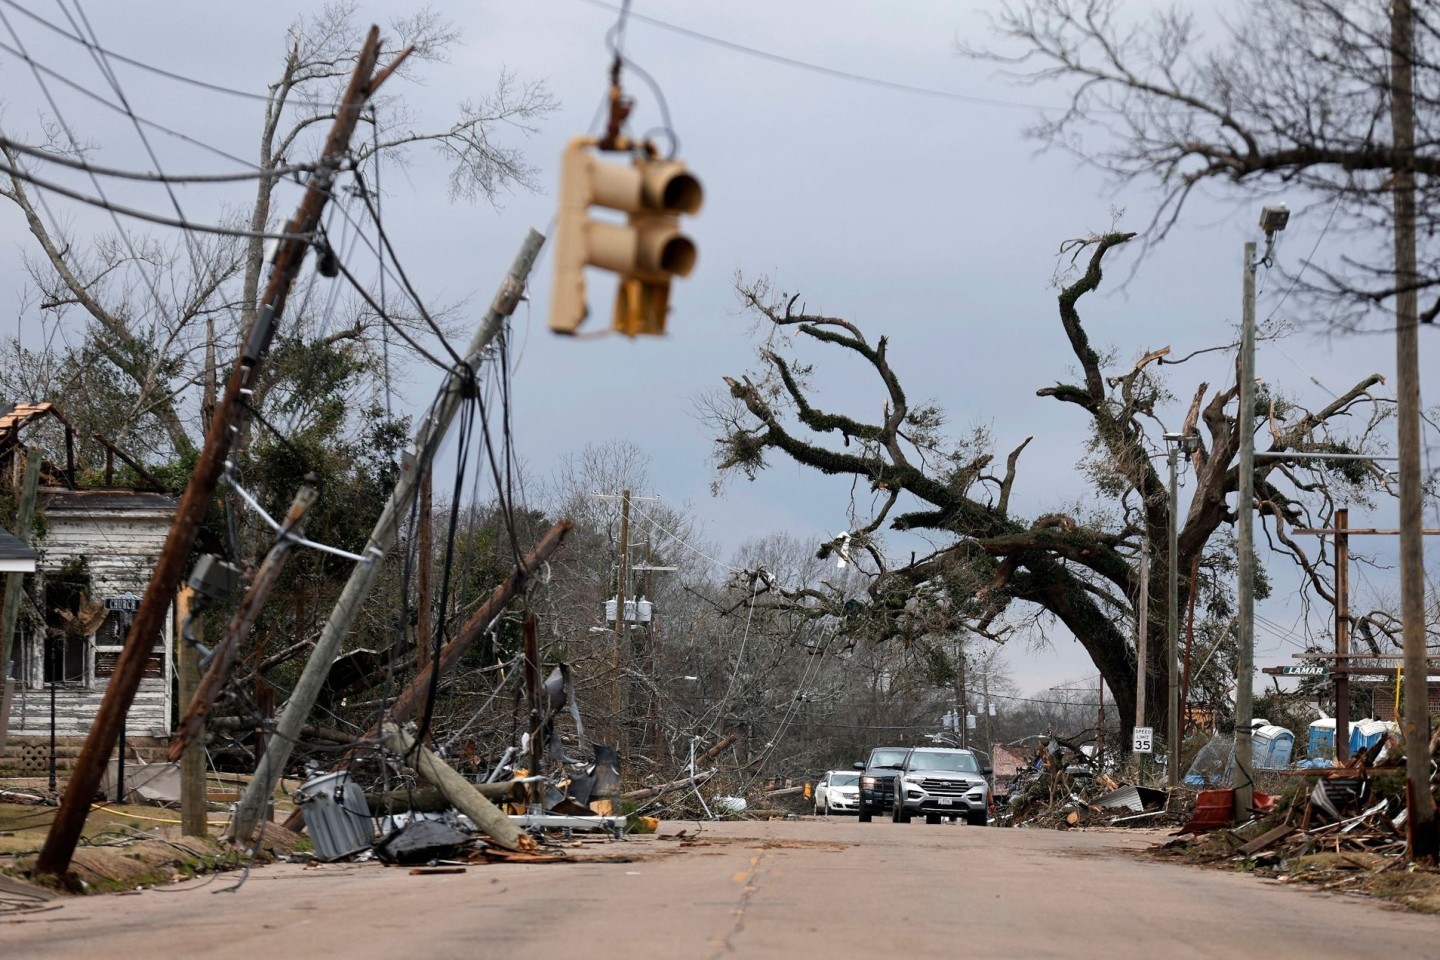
x,y
1294,97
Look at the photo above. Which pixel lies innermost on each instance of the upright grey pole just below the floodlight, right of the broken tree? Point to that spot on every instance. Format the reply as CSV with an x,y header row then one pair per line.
x,y
1245,510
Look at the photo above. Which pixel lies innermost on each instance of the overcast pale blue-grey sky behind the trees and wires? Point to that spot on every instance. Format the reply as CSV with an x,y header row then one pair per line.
x,y
925,218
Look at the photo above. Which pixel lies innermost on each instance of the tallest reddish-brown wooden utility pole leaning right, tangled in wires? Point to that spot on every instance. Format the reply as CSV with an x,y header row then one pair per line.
x,y
300,232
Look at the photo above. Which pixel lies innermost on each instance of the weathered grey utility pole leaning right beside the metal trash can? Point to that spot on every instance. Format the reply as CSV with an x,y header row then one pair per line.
x,y
387,529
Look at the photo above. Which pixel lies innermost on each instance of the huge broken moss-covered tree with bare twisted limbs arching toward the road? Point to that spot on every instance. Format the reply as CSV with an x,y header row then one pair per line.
x,y
994,572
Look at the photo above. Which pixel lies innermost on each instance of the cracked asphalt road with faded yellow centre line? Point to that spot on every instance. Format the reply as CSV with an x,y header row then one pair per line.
x,y
798,890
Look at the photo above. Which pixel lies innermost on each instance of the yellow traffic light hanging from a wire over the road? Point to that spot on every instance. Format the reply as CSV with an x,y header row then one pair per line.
x,y
646,251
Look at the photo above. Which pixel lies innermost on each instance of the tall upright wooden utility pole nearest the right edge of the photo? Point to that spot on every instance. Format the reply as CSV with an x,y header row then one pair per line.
x,y
1422,833
